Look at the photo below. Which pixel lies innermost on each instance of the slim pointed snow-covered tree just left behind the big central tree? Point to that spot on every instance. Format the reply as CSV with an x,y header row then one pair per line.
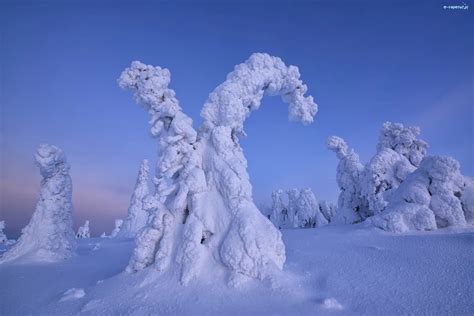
x,y
137,214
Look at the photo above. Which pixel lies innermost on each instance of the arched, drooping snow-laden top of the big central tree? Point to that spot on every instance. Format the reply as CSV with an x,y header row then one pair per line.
x,y
232,101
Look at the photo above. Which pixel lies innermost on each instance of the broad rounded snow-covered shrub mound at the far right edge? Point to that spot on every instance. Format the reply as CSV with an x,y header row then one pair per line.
x,y
429,198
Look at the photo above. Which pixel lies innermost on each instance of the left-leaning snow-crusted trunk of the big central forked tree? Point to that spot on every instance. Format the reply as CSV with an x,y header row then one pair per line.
x,y
179,175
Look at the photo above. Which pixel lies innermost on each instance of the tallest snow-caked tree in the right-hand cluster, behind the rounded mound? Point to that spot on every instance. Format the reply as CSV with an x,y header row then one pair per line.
x,y
399,153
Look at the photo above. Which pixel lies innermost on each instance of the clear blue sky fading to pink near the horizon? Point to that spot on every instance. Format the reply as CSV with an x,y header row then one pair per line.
x,y
364,63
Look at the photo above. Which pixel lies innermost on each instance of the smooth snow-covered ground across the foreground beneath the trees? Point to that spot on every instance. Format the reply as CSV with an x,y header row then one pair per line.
x,y
347,269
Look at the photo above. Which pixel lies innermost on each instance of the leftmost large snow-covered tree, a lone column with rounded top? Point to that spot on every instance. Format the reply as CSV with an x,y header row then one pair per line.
x,y
49,236
